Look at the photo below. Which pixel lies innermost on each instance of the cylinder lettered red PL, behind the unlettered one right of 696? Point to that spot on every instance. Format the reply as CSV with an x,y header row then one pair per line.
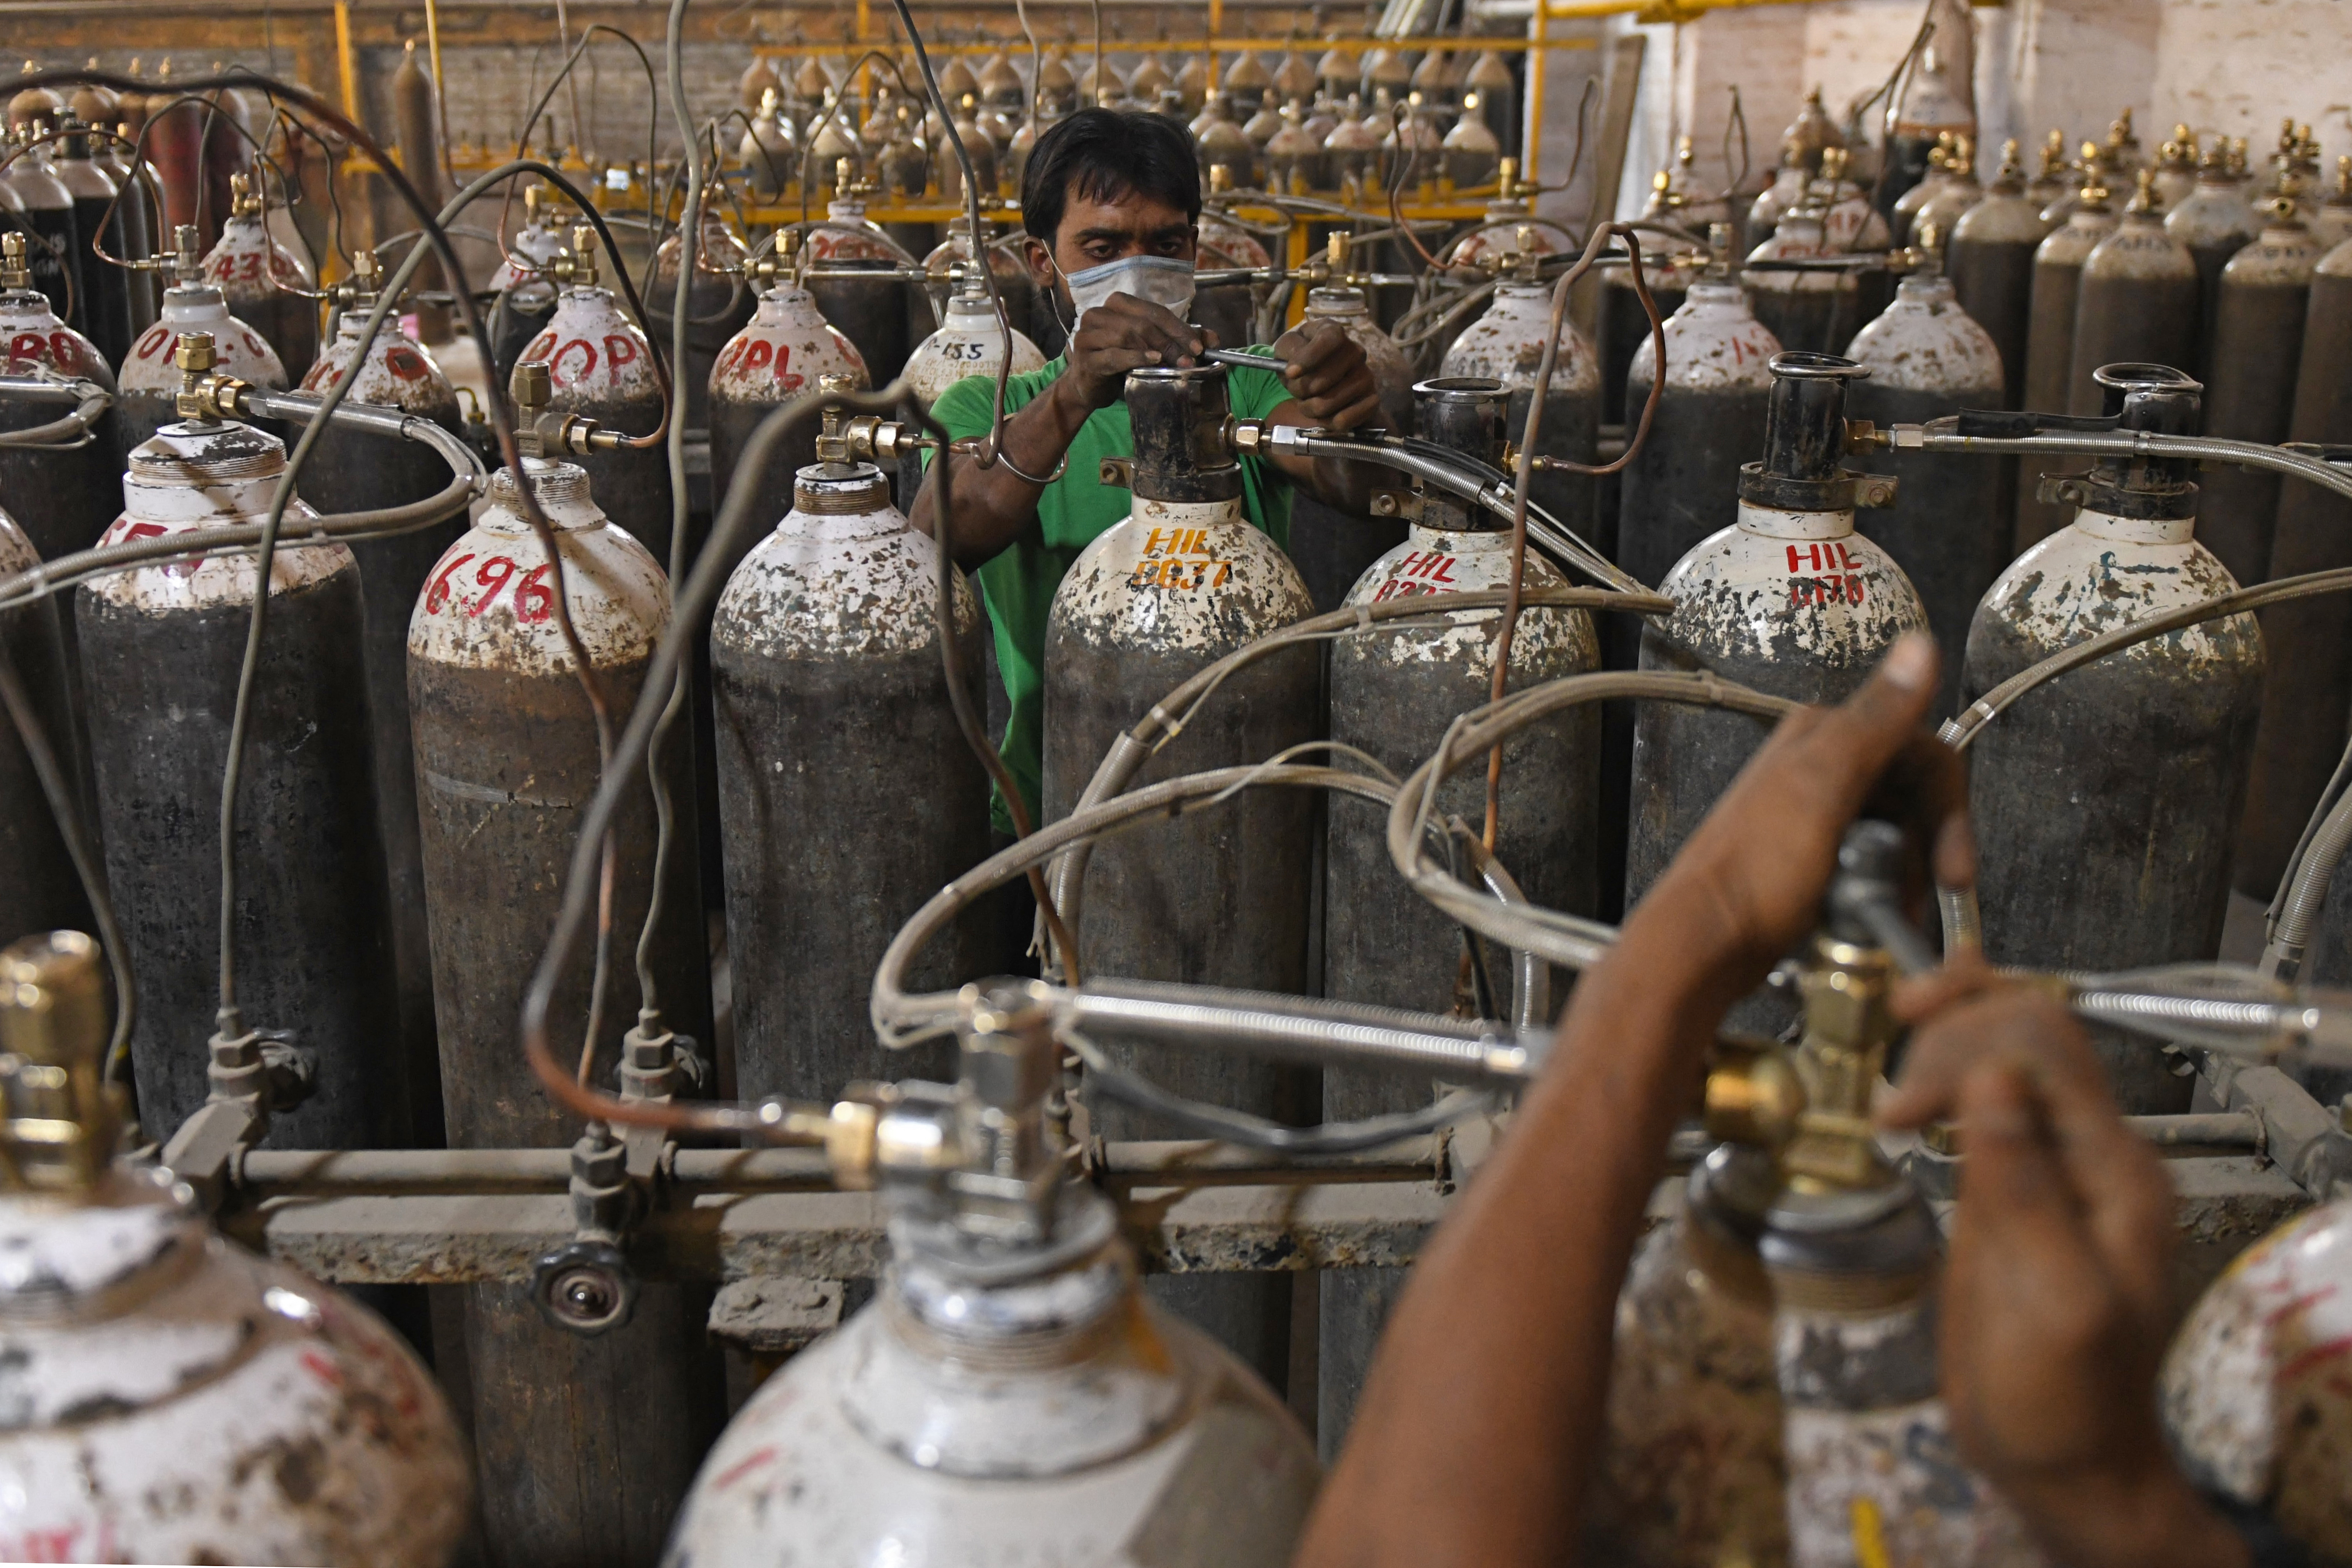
x,y
784,351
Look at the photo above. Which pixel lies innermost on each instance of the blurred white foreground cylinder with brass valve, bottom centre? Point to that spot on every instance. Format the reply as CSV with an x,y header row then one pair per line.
x,y
1010,1398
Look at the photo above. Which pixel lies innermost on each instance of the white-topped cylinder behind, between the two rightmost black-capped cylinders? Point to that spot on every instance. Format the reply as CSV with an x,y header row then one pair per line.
x,y
1946,528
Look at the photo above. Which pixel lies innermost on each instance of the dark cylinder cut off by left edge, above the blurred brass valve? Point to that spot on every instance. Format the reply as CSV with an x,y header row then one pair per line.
x,y
39,885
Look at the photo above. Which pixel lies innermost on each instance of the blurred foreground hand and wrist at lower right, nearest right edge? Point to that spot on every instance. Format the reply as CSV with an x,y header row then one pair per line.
x,y
2057,1304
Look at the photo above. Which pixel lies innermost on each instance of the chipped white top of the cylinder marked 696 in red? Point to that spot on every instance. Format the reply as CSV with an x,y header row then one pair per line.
x,y
488,603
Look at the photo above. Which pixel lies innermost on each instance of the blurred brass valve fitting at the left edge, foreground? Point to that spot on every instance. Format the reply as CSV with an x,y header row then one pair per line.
x,y
60,1120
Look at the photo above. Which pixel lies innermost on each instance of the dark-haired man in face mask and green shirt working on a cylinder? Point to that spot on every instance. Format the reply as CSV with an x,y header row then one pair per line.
x,y
1111,203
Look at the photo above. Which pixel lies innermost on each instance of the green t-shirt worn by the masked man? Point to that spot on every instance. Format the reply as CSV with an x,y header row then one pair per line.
x,y
1074,511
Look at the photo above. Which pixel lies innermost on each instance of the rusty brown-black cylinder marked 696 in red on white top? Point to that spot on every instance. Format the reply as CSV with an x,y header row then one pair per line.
x,y
507,760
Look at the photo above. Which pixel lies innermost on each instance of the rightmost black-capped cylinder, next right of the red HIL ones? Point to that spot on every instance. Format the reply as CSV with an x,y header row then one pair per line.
x,y
2106,798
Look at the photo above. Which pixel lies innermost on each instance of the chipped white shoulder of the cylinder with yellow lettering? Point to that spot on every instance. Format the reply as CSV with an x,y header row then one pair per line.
x,y
1184,577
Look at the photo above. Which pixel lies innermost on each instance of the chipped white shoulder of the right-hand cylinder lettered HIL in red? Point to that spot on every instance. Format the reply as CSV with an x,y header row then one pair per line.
x,y
1791,587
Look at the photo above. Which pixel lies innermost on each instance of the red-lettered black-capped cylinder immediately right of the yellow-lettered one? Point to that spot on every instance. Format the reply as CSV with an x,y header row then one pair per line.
x,y
1394,692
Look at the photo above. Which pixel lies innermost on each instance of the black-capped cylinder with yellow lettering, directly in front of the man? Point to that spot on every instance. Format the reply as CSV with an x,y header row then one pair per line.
x,y
1222,897
